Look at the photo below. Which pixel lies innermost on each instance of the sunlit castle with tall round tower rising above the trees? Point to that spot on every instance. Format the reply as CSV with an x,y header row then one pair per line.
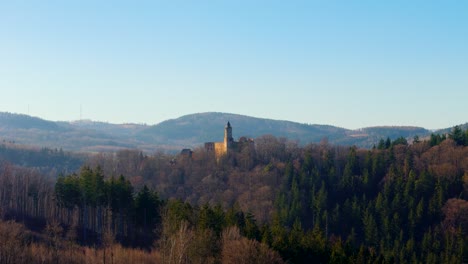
x,y
222,148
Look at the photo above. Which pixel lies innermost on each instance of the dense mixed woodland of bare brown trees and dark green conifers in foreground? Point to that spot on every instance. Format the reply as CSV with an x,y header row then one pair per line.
x,y
282,202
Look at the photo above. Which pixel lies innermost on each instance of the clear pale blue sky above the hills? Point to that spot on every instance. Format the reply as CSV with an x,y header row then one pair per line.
x,y
346,63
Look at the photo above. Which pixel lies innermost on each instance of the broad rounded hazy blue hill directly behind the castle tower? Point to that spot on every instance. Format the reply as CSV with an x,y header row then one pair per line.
x,y
196,129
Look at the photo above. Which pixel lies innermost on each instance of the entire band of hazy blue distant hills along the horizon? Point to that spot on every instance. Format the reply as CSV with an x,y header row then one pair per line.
x,y
188,131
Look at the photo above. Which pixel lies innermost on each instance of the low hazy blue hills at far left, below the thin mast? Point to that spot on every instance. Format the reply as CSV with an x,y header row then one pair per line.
x,y
85,136
